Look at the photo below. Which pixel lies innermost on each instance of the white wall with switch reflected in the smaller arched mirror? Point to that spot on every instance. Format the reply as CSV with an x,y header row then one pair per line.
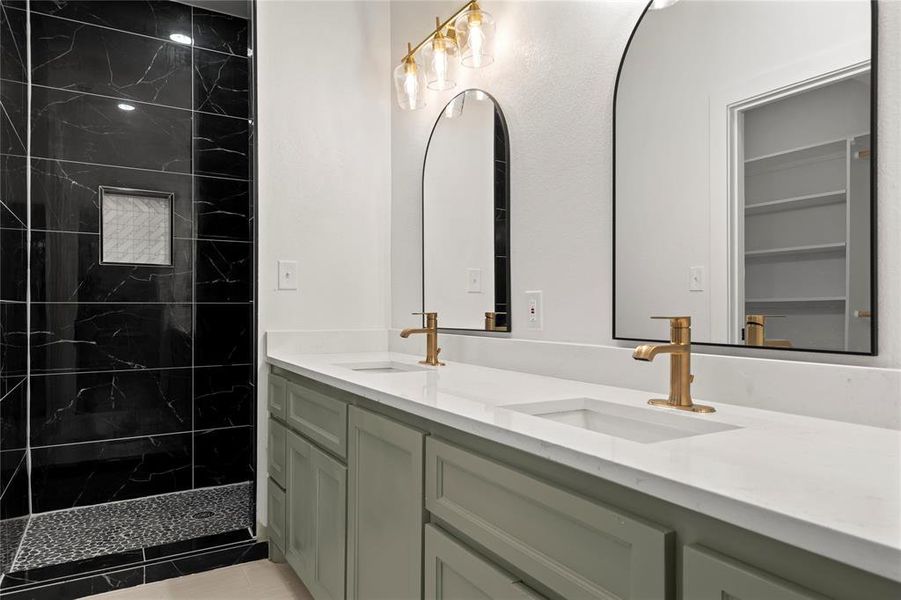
x,y
459,215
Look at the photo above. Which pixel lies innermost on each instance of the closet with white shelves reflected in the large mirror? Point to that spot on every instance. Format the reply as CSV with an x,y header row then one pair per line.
x,y
805,195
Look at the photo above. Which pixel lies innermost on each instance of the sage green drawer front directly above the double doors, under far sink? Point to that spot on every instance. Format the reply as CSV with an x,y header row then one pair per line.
x,y
318,416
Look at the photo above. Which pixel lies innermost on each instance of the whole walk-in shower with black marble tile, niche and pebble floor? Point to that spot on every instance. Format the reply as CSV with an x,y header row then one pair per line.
x,y
127,319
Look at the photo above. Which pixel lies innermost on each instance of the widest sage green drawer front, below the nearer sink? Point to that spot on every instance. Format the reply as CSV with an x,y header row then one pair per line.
x,y
575,546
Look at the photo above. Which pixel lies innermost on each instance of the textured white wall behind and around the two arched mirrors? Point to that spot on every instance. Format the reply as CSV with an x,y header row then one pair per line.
x,y
554,79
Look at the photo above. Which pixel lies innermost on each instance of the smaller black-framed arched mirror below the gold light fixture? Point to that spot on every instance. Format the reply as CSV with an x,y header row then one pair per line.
x,y
465,216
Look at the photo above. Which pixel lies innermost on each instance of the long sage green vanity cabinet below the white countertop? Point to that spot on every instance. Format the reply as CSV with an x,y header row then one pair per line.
x,y
366,501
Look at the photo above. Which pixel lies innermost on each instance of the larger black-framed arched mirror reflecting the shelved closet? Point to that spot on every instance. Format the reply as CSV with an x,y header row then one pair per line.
x,y
744,174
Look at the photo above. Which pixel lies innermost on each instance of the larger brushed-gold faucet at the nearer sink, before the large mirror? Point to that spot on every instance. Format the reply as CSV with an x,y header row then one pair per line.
x,y
680,365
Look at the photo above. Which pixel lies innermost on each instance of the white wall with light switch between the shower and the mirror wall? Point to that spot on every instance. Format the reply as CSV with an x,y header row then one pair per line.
x,y
324,170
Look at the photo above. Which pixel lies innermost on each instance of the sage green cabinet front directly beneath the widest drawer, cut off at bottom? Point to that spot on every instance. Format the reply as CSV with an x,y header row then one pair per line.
x,y
453,572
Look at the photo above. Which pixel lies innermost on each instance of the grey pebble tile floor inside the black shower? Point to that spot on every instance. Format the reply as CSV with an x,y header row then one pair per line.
x,y
76,534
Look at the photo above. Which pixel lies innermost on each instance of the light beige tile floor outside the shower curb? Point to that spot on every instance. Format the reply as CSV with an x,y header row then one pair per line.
x,y
262,579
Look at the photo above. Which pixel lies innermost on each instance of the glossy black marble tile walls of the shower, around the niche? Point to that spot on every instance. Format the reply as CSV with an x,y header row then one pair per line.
x,y
141,377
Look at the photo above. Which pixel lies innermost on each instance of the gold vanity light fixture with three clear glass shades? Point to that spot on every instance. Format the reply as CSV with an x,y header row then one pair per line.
x,y
468,36
